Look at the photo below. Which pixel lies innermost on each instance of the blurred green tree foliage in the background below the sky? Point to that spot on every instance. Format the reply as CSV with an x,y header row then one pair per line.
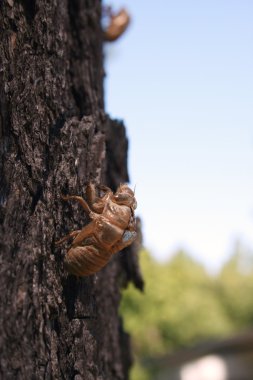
x,y
183,304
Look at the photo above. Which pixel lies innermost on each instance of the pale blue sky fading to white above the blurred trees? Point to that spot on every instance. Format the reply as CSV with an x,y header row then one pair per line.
x,y
181,78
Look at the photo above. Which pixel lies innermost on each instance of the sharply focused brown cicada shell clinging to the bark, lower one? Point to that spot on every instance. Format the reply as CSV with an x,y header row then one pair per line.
x,y
112,228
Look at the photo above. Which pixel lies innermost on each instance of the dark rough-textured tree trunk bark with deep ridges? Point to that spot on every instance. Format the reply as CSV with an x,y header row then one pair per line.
x,y
55,137
